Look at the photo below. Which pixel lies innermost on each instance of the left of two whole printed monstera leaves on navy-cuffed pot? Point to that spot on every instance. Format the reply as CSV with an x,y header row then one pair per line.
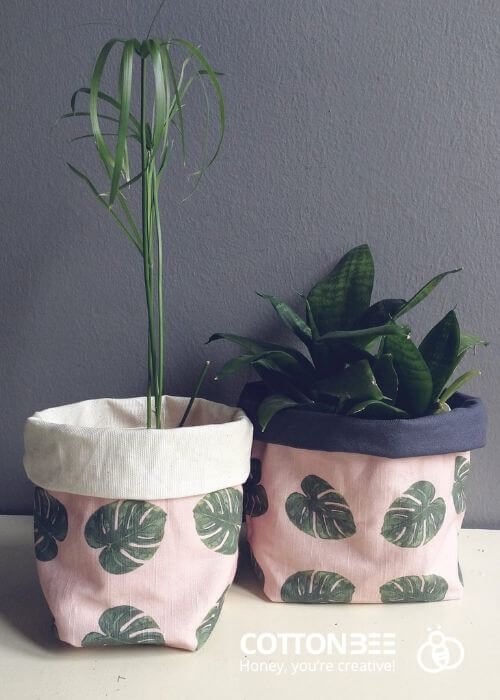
x,y
320,511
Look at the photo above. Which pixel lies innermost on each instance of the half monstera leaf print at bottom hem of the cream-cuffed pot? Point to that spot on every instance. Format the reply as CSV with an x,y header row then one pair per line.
x,y
124,624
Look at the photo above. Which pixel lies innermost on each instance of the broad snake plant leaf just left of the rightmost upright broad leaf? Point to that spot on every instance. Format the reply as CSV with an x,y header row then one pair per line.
x,y
415,381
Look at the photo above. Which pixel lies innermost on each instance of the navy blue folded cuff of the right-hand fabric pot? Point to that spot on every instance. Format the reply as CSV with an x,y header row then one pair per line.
x,y
460,430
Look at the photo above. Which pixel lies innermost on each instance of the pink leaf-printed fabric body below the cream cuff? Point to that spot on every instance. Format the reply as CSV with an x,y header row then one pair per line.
x,y
173,597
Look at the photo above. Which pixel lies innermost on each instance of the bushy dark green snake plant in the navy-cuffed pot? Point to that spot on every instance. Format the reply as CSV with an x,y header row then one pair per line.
x,y
360,361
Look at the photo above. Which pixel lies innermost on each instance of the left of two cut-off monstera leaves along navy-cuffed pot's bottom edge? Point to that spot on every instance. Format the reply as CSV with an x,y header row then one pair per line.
x,y
317,587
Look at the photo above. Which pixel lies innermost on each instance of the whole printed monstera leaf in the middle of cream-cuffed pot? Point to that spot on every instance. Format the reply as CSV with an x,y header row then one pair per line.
x,y
128,532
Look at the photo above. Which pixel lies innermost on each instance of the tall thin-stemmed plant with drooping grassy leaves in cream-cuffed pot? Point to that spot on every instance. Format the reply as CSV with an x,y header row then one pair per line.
x,y
159,74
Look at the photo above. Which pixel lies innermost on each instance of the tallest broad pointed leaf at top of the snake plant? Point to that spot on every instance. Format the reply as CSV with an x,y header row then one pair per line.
x,y
339,299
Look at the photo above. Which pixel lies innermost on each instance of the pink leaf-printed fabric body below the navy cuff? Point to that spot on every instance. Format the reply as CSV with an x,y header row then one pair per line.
x,y
296,533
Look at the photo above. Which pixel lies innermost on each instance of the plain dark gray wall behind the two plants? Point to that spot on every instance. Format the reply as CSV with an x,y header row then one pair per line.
x,y
348,121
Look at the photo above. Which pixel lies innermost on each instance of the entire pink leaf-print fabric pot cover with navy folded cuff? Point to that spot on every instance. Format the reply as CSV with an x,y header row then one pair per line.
x,y
348,510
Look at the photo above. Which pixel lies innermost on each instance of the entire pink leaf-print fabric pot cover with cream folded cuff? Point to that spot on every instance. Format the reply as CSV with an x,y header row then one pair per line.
x,y
136,530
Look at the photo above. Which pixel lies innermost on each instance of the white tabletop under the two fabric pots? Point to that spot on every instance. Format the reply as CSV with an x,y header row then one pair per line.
x,y
34,666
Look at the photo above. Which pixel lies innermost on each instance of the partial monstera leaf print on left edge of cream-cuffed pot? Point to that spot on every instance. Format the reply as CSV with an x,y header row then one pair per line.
x,y
50,524
